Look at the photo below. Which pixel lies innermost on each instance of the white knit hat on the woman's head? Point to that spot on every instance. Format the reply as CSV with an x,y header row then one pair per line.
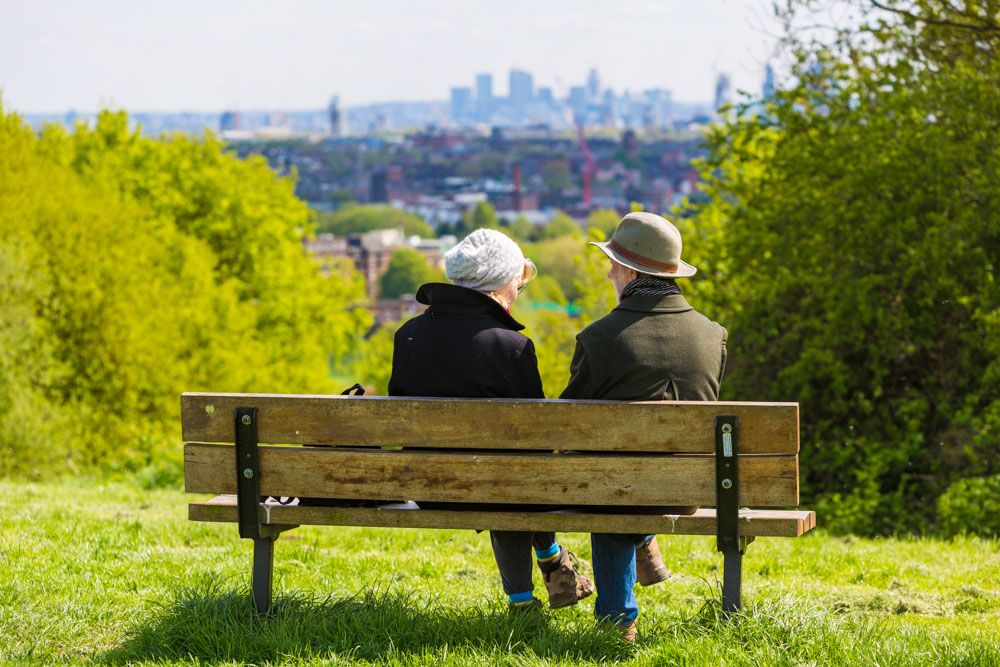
x,y
485,261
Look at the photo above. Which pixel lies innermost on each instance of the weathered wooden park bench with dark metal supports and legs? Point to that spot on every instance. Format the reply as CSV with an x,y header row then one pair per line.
x,y
726,455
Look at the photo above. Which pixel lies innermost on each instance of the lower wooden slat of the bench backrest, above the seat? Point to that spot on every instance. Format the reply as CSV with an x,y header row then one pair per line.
x,y
650,480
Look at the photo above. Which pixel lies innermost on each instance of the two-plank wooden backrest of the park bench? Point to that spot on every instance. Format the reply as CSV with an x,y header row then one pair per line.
x,y
642,453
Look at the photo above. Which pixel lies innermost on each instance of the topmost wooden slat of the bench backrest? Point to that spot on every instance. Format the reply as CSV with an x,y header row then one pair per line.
x,y
661,426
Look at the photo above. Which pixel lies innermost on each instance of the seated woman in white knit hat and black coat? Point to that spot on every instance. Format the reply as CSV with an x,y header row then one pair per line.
x,y
467,345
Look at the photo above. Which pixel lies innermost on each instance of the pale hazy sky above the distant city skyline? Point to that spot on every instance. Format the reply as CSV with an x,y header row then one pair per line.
x,y
209,55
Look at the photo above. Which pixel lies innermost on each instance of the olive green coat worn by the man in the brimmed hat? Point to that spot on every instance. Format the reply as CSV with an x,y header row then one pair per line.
x,y
649,348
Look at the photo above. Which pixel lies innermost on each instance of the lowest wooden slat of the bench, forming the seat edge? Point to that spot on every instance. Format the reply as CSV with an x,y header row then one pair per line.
x,y
754,523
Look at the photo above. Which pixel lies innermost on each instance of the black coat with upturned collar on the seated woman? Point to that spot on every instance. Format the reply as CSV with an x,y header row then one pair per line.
x,y
465,345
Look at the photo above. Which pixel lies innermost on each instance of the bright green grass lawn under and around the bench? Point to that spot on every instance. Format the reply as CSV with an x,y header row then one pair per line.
x,y
114,574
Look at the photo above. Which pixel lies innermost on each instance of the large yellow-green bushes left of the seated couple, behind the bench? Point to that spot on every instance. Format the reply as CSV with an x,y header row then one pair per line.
x,y
134,269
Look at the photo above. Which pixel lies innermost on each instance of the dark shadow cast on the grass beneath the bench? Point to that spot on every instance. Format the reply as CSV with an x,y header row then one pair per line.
x,y
213,623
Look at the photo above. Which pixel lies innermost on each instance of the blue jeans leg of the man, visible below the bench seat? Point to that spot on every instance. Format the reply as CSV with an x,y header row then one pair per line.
x,y
613,557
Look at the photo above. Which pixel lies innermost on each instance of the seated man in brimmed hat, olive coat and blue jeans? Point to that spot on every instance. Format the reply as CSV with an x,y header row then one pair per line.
x,y
652,346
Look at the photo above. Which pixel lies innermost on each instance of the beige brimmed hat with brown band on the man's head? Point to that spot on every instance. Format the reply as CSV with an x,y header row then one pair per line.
x,y
648,244
